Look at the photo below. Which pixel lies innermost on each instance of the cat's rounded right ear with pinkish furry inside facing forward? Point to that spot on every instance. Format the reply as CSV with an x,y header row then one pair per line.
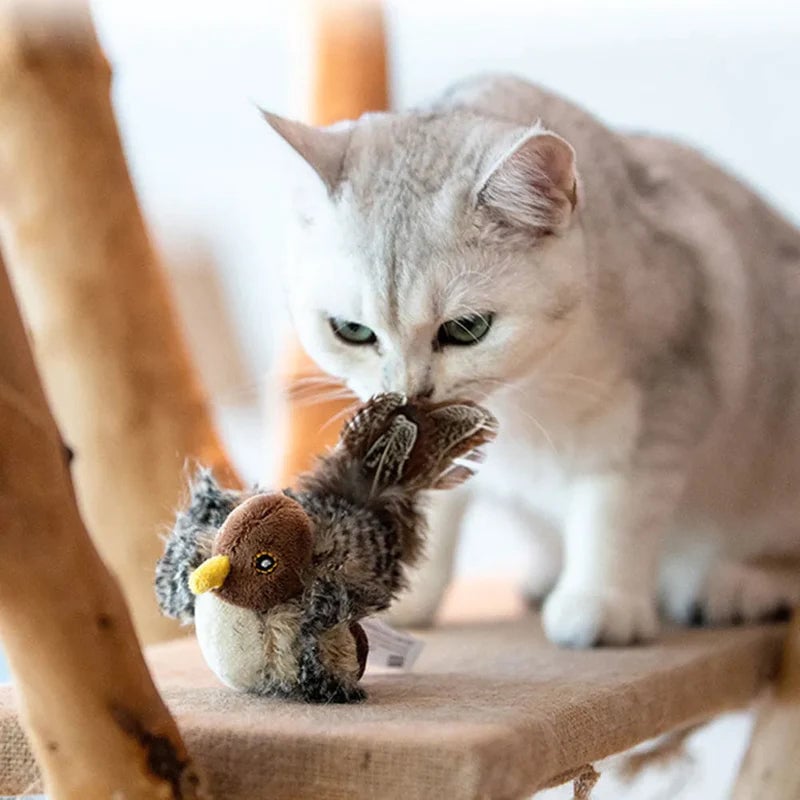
x,y
534,185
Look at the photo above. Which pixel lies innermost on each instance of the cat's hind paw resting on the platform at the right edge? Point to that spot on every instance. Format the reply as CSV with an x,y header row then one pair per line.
x,y
732,594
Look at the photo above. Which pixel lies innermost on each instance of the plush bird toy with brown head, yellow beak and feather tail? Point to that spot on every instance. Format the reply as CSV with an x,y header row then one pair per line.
x,y
276,582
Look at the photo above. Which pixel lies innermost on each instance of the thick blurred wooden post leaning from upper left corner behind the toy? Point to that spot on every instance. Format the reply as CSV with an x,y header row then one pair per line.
x,y
105,332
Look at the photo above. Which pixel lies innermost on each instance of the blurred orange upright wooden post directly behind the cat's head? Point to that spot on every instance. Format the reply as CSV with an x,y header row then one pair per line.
x,y
349,77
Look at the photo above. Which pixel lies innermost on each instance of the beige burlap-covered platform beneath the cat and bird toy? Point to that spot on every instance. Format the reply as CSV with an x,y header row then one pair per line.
x,y
491,710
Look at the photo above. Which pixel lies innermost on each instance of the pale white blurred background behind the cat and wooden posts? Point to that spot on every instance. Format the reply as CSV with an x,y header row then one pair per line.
x,y
723,76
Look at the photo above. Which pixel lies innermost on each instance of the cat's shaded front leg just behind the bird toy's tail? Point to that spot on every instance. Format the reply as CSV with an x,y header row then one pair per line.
x,y
418,605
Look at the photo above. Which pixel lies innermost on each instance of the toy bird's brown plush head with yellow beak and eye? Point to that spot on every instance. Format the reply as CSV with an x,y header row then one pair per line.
x,y
259,554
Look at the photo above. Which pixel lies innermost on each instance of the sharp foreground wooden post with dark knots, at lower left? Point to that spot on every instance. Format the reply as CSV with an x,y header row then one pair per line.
x,y
97,725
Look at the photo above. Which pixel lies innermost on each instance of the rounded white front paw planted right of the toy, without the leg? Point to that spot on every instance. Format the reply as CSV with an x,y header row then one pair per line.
x,y
583,618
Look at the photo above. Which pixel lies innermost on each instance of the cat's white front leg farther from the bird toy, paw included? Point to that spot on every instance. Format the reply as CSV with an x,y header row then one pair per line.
x,y
612,544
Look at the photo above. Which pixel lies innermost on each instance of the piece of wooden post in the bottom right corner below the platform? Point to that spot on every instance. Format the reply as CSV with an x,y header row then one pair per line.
x,y
771,770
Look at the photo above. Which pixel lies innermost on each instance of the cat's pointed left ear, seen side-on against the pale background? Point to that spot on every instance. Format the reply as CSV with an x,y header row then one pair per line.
x,y
323,149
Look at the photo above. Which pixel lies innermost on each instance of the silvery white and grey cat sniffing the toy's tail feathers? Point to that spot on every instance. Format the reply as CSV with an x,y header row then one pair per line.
x,y
627,310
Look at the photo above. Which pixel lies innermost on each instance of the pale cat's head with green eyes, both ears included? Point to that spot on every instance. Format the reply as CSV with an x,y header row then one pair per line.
x,y
436,256
